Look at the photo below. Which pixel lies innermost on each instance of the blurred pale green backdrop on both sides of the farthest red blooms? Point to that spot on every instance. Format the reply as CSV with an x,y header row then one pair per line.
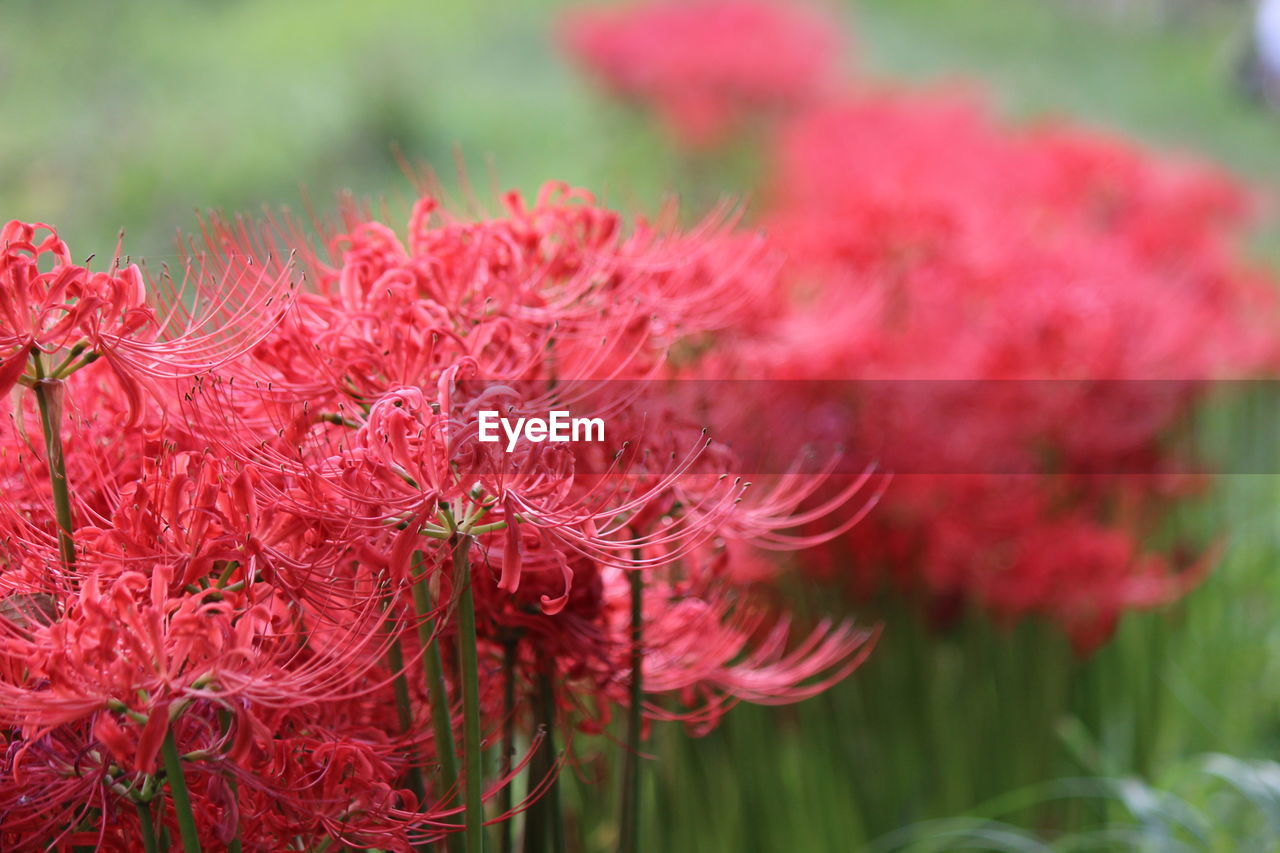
x,y
134,115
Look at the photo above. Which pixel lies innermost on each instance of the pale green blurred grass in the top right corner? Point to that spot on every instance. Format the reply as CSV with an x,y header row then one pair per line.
x,y
1043,60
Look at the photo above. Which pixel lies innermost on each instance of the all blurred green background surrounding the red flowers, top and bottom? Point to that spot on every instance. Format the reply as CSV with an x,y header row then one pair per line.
x,y
132,116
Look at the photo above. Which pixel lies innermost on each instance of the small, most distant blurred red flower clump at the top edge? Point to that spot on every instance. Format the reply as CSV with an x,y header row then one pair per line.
x,y
706,66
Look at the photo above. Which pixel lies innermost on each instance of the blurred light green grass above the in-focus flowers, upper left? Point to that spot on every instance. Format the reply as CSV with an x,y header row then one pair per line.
x,y
134,115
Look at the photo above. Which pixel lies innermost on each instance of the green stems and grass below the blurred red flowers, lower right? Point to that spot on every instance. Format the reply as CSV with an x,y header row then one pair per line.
x,y
984,723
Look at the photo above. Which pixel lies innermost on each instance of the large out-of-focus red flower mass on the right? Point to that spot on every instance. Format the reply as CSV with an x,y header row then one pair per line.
x,y
1035,309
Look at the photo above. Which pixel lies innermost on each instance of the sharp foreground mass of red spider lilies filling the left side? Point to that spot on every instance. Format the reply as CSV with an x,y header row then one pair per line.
x,y
263,585
